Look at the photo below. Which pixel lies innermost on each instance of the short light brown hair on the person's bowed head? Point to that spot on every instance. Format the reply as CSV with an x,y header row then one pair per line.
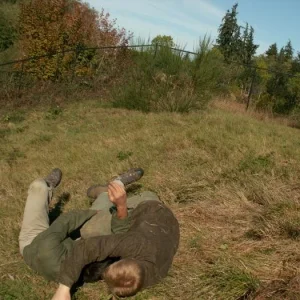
x,y
124,278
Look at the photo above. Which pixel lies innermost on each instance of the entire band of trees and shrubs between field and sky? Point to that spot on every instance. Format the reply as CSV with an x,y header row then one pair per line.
x,y
155,78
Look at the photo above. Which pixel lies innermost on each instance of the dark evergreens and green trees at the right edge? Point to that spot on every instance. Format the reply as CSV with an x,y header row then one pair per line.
x,y
275,74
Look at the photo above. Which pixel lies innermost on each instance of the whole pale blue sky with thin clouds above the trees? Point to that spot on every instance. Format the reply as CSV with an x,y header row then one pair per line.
x,y
187,20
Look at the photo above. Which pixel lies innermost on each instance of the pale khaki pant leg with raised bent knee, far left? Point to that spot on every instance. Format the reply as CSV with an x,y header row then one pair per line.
x,y
35,219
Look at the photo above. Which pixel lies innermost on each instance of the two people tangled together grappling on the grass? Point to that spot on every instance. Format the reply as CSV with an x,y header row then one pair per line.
x,y
137,255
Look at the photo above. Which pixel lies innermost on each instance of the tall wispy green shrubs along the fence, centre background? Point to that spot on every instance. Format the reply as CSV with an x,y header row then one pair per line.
x,y
163,79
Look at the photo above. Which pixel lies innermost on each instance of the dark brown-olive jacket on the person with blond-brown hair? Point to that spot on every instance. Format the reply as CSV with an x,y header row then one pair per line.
x,y
152,240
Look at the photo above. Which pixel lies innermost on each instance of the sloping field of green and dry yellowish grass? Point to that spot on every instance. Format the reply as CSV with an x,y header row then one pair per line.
x,y
232,181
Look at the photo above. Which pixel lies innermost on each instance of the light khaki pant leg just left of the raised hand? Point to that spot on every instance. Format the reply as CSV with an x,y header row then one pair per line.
x,y
100,224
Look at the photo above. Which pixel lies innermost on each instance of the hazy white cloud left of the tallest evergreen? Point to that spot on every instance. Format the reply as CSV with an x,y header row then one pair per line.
x,y
184,20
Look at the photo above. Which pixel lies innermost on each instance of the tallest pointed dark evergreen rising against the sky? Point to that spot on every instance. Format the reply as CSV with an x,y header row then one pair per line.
x,y
229,34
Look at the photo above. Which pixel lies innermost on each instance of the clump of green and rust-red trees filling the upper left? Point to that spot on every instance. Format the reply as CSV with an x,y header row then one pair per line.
x,y
45,27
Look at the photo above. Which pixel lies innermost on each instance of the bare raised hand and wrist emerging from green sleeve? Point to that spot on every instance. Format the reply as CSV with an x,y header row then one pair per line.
x,y
117,195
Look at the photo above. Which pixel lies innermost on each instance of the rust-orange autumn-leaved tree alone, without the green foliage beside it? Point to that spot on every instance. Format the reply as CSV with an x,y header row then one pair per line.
x,y
48,27
